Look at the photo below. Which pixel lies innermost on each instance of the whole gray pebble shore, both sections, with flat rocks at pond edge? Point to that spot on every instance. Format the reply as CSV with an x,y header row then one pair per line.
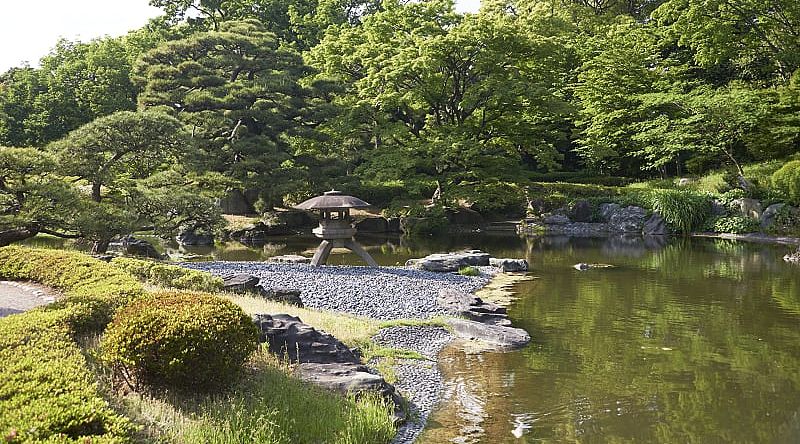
x,y
390,293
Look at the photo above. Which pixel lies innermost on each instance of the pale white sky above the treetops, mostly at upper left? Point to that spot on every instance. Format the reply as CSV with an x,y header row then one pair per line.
x,y
30,28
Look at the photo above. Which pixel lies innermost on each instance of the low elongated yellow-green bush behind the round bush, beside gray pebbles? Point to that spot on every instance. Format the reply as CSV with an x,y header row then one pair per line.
x,y
170,276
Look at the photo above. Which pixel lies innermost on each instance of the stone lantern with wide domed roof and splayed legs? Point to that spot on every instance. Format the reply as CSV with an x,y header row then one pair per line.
x,y
335,225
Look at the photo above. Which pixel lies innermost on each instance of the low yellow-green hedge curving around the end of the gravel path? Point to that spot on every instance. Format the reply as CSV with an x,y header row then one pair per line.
x,y
92,288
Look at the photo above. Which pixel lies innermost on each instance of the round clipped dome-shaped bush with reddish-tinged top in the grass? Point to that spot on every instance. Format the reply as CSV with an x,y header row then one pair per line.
x,y
188,341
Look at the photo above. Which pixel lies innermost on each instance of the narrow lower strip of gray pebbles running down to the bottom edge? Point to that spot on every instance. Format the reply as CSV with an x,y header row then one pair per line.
x,y
419,381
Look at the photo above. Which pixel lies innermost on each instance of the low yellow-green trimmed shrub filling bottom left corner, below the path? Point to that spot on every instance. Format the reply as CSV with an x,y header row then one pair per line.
x,y
46,391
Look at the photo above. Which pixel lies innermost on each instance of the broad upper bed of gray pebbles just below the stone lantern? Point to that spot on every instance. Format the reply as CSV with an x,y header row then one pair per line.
x,y
375,292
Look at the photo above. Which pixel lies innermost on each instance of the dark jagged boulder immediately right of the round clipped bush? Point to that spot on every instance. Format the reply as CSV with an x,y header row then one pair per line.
x,y
296,341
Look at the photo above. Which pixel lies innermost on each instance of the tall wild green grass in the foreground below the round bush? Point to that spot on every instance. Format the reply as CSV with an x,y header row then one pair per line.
x,y
268,406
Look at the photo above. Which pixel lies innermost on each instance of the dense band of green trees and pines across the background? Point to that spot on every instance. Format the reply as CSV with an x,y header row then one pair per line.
x,y
392,100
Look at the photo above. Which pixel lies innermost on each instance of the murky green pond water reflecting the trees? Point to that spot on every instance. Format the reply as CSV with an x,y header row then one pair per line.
x,y
686,340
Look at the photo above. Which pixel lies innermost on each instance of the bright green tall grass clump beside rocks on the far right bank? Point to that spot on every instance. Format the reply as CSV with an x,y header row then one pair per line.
x,y
683,210
